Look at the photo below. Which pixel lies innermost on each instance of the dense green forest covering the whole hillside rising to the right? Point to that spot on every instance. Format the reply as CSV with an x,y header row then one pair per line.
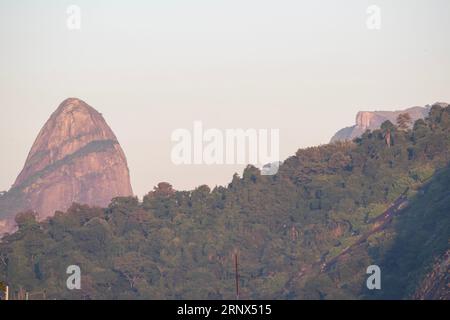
x,y
180,244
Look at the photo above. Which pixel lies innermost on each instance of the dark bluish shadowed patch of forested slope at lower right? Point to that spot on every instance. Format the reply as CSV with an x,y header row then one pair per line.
x,y
422,234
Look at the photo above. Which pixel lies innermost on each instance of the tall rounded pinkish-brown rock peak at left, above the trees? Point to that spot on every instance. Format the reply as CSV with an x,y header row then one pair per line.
x,y
75,158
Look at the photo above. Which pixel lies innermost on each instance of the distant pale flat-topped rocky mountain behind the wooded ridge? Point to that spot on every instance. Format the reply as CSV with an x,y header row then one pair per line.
x,y
372,120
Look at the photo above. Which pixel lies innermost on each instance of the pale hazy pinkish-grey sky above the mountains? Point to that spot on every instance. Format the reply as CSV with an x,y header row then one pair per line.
x,y
150,67
